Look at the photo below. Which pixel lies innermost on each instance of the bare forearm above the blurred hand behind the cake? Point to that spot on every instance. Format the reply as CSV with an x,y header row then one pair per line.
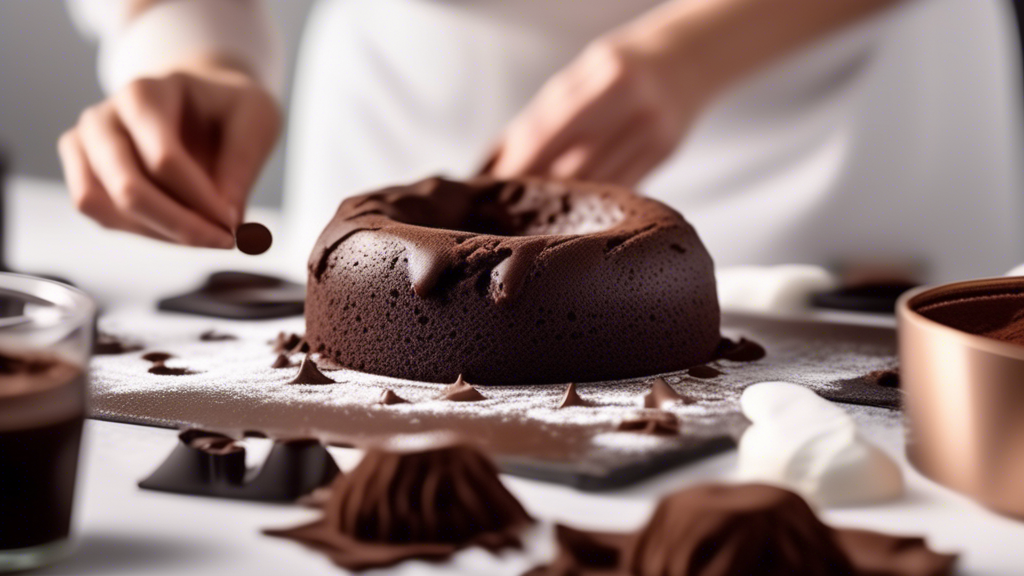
x,y
716,43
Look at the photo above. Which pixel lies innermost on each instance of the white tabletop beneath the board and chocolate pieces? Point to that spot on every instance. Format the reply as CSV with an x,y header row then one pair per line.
x,y
123,530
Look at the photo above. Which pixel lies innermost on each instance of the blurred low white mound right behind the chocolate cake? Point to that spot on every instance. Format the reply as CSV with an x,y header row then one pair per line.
x,y
786,289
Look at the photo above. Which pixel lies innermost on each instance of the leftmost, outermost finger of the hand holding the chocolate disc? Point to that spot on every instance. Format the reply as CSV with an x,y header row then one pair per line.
x,y
87,192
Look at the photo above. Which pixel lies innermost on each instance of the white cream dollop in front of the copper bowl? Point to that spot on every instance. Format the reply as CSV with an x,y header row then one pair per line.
x,y
803,442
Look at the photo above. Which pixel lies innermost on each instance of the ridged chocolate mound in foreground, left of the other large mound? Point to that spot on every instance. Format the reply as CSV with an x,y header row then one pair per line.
x,y
426,504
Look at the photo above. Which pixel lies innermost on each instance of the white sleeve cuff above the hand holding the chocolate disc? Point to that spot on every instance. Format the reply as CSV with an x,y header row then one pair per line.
x,y
176,31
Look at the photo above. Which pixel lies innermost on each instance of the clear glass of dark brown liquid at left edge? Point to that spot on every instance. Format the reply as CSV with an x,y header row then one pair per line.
x,y
46,343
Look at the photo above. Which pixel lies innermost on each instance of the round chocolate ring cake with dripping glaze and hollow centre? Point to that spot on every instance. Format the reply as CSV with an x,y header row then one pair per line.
x,y
528,281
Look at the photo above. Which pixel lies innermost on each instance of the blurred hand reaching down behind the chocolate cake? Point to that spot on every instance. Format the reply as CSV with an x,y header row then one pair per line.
x,y
613,115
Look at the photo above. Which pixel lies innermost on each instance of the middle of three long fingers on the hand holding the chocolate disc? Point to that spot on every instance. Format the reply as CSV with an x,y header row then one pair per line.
x,y
116,166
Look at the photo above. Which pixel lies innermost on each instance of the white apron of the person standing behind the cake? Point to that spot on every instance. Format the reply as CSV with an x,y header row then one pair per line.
x,y
897,141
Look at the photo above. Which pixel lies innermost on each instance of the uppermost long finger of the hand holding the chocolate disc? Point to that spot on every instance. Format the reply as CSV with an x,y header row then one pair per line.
x,y
151,111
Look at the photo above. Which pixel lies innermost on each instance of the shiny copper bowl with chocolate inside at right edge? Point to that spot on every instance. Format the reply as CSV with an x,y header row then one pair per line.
x,y
964,398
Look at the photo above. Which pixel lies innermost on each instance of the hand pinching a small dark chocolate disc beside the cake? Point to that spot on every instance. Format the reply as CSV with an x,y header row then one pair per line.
x,y
174,157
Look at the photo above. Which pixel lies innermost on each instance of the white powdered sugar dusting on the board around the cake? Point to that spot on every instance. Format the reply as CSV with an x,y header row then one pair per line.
x,y
235,389
